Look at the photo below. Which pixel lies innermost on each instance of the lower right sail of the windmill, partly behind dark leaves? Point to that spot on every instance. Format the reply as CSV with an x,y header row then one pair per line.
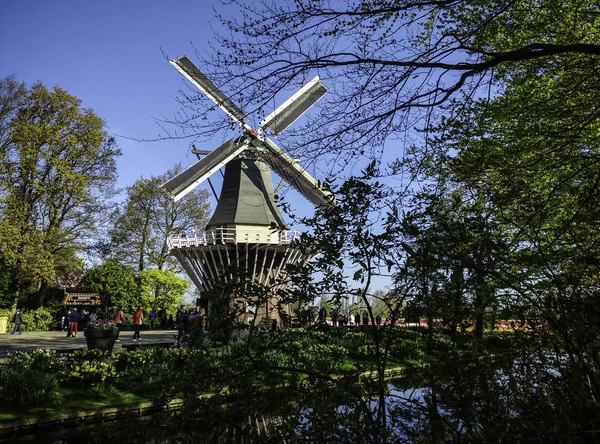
x,y
295,175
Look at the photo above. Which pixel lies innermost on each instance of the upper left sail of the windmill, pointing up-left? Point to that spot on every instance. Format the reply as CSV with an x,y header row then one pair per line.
x,y
190,71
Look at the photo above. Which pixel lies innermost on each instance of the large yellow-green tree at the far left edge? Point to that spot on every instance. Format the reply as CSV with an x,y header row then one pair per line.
x,y
58,171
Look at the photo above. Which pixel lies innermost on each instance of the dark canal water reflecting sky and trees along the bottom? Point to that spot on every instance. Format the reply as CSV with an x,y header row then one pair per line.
x,y
523,400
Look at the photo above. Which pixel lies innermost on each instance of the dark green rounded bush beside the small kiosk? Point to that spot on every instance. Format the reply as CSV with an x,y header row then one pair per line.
x,y
116,281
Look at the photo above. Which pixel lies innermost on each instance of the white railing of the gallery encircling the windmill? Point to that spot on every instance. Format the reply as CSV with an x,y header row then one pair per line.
x,y
222,236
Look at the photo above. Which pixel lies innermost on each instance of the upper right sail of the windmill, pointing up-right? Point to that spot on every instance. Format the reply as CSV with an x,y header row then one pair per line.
x,y
295,106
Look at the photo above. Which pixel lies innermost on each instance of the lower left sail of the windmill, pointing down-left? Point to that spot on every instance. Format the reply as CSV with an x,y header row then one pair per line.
x,y
193,176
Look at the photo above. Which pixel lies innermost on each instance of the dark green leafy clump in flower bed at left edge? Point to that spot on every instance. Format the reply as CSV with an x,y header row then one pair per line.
x,y
31,378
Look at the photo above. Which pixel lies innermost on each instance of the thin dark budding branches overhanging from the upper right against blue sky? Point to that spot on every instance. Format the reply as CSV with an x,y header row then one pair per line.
x,y
386,62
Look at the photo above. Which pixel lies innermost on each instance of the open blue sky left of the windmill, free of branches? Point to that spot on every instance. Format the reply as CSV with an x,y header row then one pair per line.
x,y
109,53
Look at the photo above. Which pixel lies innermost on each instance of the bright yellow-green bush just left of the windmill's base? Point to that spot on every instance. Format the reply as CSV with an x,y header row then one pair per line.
x,y
161,289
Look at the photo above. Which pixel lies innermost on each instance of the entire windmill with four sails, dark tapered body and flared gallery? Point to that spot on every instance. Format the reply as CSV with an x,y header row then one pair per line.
x,y
246,229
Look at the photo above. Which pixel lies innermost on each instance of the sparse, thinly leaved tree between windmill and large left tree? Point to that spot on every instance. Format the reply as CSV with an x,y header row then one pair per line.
x,y
143,223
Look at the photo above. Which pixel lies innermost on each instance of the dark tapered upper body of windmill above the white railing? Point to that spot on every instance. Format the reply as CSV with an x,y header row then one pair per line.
x,y
247,196
